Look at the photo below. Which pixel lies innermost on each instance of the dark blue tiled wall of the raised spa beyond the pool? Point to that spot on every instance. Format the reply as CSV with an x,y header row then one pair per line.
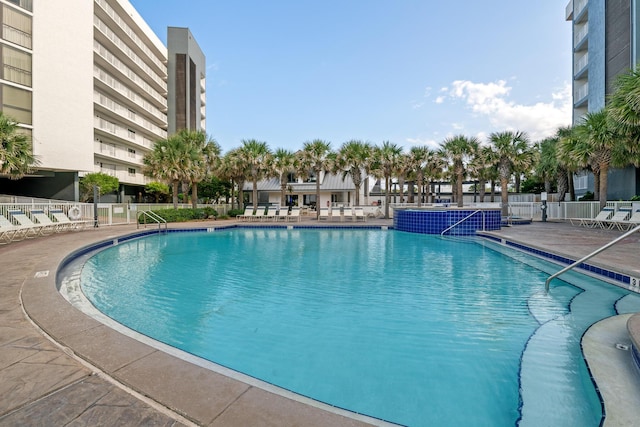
x,y
435,222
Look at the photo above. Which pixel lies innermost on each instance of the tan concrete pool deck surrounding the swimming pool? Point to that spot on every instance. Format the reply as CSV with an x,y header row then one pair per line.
x,y
59,366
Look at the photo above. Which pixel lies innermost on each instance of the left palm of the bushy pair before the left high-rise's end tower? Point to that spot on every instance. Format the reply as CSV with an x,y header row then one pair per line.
x,y
168,161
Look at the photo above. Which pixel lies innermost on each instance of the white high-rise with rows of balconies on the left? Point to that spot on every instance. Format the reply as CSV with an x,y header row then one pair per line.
x,y
95,94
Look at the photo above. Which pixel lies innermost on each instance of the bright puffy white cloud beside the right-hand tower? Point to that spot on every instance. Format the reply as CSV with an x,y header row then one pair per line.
x,y
491,100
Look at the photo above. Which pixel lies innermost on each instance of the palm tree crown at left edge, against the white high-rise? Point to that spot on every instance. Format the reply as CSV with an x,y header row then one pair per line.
x,y
16,156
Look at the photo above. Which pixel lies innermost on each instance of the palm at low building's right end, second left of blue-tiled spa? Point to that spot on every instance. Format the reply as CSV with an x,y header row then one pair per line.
x,y
353,159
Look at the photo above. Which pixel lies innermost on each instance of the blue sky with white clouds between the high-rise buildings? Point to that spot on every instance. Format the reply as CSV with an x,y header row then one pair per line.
x,y
412,72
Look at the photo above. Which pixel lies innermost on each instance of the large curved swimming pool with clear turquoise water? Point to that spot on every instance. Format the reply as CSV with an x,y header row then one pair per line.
x,y
412,329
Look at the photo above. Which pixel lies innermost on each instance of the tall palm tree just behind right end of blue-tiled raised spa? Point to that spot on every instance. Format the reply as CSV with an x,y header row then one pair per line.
x,y
510,148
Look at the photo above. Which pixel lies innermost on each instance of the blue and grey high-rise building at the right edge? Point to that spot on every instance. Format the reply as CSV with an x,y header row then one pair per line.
x,y
606,39
